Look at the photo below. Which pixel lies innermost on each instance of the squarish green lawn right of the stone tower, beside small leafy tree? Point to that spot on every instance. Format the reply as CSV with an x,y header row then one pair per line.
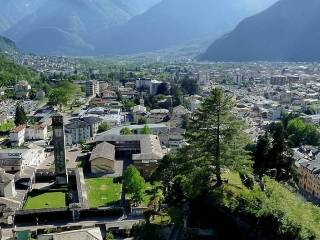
x,y
102,192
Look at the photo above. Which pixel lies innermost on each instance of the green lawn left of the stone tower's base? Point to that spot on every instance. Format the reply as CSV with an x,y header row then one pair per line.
x,y
46,200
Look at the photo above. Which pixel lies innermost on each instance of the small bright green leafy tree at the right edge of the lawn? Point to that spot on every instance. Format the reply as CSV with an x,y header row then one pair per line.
x,y
134,184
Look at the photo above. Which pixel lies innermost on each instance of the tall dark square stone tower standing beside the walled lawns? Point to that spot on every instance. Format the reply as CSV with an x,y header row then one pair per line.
x,y
59,150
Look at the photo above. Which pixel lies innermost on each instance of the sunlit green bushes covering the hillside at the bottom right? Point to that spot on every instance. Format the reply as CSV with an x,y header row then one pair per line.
x,y
276,210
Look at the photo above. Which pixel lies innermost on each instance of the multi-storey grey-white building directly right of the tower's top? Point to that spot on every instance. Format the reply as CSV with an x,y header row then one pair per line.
x,y
82,129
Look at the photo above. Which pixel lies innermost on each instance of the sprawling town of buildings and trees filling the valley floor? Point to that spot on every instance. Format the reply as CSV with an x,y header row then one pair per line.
x,y
71,139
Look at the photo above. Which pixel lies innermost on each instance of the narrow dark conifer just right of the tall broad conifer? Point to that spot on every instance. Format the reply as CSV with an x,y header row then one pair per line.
x,y
261,155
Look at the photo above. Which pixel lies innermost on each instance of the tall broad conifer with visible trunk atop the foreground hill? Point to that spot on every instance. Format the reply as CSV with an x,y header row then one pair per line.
x,y
215,135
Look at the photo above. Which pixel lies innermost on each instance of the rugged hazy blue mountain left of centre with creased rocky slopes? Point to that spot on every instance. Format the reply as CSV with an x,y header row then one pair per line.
x,y
68,26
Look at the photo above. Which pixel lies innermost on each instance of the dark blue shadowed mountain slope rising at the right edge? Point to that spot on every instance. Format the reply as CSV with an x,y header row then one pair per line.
x,y
287,31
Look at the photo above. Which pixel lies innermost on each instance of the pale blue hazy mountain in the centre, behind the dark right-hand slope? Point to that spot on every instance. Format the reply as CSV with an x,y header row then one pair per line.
x,y
173,22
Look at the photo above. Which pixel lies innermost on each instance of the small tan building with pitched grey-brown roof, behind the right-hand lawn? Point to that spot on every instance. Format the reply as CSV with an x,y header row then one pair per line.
x,y
102,159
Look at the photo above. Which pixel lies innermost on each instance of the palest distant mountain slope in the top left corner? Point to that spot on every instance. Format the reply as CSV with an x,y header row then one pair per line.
x,y
12,11
